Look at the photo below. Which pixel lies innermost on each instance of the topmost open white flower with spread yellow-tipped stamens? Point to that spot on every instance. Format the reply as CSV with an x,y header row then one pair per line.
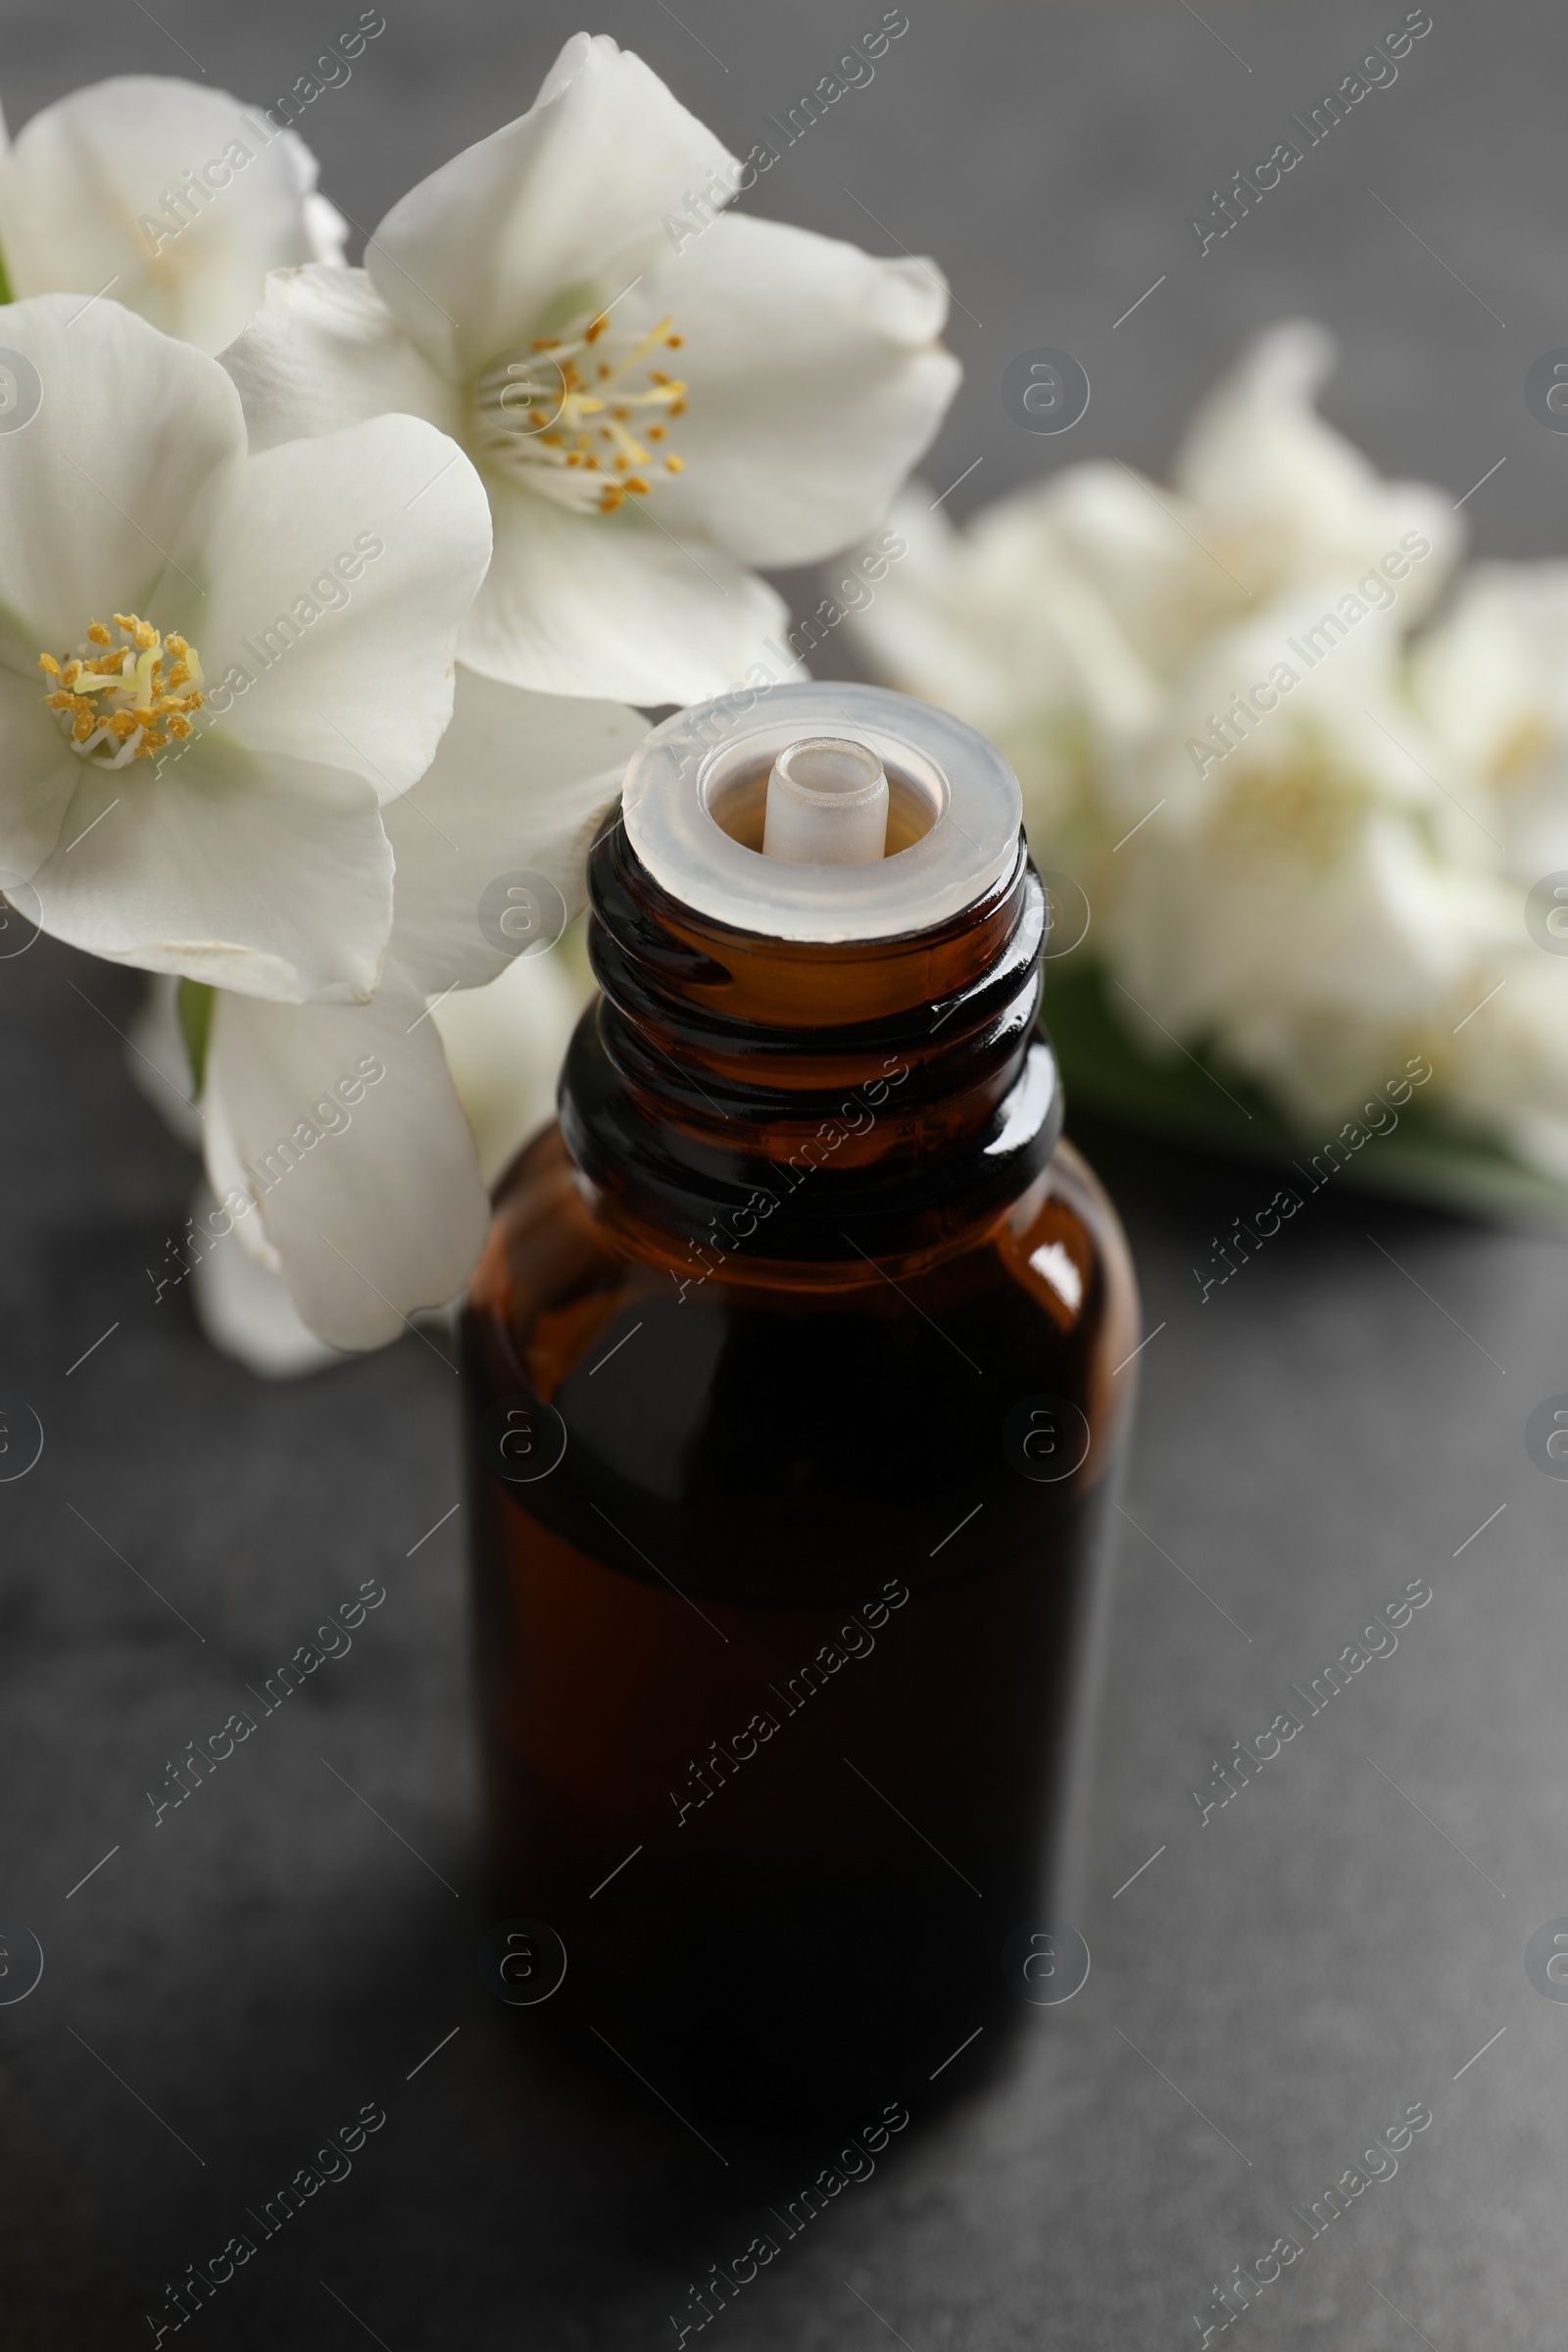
x,y
655,406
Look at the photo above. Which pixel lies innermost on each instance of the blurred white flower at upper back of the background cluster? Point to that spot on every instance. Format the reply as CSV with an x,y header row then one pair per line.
x,y
1061,617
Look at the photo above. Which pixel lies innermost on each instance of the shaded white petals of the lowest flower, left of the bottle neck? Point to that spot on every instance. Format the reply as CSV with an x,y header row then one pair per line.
x,y
333,1135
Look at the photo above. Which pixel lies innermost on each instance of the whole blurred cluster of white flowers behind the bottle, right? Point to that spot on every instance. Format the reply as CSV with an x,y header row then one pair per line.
x,y
1308,813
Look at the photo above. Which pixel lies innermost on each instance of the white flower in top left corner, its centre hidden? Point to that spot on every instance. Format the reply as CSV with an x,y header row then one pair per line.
x,y
170,199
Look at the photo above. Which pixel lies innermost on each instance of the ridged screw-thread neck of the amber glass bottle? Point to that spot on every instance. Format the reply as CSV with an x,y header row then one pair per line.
x,y
810,1102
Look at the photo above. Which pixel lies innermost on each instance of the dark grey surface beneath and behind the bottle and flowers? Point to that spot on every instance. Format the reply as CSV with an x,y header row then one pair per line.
x,y
1282,1982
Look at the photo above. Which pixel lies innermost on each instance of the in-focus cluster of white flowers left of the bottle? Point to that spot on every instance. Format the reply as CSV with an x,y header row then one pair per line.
x,y
316,587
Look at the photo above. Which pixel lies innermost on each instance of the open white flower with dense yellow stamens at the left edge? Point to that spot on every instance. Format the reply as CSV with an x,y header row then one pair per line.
x,y
213,667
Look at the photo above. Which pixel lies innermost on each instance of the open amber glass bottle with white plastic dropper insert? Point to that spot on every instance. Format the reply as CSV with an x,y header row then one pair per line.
x,y
796,1379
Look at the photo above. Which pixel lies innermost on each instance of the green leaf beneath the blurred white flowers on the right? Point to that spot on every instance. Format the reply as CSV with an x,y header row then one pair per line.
x,y
1202,1102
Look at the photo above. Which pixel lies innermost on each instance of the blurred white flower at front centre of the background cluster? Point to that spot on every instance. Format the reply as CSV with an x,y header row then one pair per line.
x,y
1292,897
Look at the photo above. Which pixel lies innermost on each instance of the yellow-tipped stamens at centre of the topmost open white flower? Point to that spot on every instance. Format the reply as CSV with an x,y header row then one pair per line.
x,y
579,415
